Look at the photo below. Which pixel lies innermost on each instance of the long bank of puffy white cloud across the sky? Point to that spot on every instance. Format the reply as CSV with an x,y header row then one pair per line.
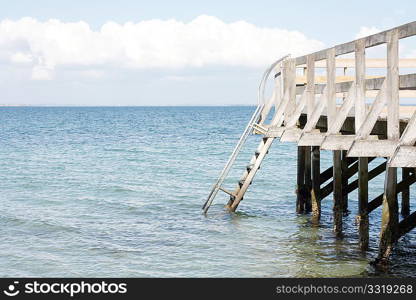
x,y
204,41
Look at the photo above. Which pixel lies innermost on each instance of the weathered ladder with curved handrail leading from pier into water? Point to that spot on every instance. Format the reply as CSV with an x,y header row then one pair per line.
x,y
253,124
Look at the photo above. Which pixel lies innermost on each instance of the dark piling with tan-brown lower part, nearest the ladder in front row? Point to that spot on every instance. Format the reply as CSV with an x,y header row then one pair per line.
x,y
316,184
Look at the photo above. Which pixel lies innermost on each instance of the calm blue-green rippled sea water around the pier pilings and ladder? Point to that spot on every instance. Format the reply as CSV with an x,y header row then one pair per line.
x,y
117,191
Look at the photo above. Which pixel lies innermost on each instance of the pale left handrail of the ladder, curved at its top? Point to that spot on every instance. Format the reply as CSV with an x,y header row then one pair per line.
x,y
254,118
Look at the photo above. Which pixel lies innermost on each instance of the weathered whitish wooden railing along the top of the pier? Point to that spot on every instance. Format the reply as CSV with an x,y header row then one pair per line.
x,y
315,95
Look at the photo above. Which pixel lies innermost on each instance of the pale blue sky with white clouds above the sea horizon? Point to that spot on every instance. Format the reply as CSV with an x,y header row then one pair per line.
x,y
155,52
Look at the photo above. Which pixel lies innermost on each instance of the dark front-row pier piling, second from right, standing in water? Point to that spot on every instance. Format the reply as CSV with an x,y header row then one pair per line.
x,y
362,218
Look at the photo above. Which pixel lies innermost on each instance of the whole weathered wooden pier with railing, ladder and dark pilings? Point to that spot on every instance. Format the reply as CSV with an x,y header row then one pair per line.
x,y
359,117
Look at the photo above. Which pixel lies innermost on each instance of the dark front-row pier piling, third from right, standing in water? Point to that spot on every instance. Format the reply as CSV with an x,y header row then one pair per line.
x,y
338,207
